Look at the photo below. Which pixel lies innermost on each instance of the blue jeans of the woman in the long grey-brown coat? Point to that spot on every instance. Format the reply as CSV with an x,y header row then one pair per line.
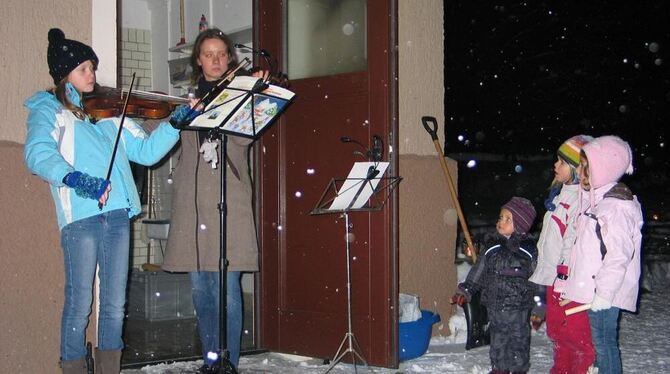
x,y
206,302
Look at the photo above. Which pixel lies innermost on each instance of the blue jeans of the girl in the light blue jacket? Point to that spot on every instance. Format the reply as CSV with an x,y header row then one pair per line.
x,y
102,240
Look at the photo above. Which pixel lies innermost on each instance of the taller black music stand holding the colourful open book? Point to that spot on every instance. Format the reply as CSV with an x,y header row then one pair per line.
x,y
234,112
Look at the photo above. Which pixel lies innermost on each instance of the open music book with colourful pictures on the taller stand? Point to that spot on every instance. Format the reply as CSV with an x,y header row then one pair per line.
x,y
232,111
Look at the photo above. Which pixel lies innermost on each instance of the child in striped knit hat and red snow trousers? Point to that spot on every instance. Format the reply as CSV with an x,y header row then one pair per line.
x,y
571,335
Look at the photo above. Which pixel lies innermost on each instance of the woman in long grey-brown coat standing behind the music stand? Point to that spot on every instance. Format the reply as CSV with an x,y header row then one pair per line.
x,y
193,242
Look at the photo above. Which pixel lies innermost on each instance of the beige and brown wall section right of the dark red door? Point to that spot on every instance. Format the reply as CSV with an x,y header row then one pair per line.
x,y
428,219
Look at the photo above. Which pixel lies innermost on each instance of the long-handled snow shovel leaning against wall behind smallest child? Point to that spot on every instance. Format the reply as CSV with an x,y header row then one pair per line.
x,y
475,314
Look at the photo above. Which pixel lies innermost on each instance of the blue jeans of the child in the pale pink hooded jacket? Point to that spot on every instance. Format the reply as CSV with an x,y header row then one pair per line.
x,y
604,331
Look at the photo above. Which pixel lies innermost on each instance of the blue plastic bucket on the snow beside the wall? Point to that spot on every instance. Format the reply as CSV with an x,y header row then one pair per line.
x,y
415,336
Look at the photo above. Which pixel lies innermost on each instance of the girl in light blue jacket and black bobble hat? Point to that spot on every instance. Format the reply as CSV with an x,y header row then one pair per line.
x,y
72,155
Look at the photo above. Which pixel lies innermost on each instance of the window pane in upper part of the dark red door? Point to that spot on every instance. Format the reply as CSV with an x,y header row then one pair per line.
x,y
326,37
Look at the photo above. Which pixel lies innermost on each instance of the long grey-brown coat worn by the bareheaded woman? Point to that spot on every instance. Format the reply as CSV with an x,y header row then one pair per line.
x,y
183,252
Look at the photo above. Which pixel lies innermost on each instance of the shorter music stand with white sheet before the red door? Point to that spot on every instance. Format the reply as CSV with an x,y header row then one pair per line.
x,y
363,190
